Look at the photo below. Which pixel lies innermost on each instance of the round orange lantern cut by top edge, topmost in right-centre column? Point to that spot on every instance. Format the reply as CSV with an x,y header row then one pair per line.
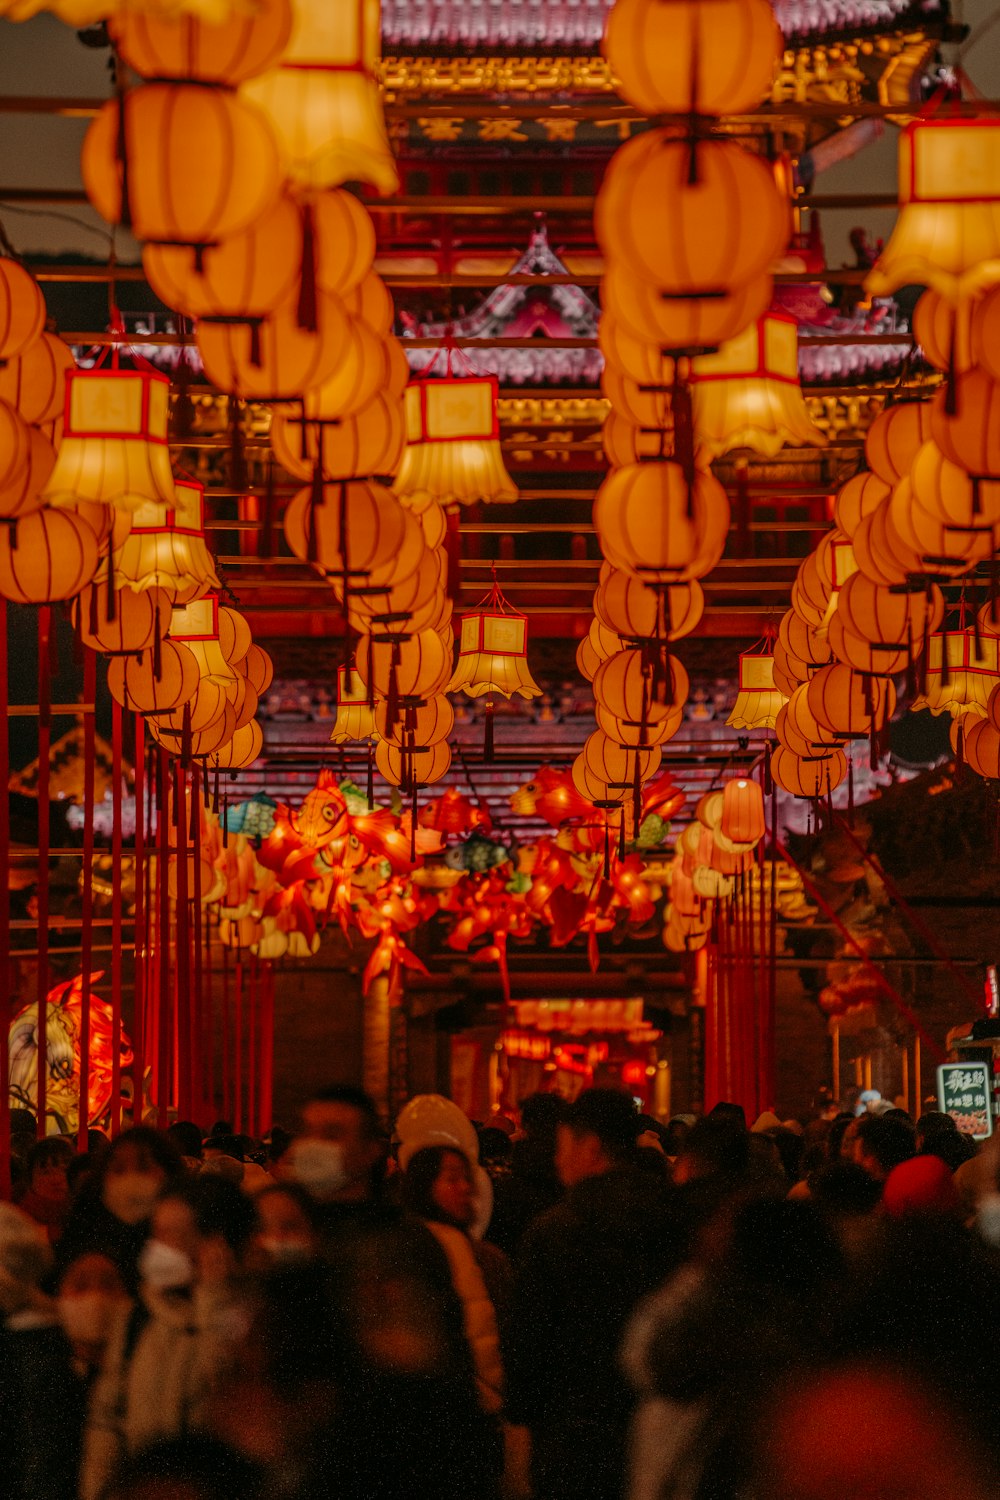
x,y
693,58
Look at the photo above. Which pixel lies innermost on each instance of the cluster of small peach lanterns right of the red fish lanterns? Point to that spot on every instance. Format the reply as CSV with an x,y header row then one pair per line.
x,y
716,850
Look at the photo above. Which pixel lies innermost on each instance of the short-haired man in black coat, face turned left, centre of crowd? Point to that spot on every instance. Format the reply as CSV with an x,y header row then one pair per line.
x,y
582,1270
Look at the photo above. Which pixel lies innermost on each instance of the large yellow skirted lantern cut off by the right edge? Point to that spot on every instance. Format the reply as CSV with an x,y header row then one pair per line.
x,y
948,232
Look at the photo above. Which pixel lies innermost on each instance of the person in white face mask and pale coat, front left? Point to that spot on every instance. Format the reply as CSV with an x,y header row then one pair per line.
x,y
167,1355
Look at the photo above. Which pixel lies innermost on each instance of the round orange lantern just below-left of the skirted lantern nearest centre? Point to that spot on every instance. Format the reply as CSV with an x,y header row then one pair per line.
x,y
367,517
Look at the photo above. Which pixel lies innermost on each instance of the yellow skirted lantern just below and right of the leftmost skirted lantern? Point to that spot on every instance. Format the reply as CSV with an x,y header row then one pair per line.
x,y
169,553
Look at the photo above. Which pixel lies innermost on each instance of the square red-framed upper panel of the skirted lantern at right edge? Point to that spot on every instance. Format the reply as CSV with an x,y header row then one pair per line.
x,y
953,161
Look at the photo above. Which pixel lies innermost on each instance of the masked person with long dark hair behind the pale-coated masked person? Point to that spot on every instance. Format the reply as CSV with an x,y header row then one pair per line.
x,y
113,1210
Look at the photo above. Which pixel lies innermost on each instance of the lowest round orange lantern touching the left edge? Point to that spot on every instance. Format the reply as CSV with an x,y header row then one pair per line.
x,y
52,557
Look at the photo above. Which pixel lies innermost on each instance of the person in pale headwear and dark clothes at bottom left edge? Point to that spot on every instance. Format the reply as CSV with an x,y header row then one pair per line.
x,y
43,1402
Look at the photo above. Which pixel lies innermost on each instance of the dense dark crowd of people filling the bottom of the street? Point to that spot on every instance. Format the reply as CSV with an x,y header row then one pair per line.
x,y
602,1307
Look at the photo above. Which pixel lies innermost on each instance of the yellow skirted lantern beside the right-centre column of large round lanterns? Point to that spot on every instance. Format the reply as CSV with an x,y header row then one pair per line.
x,y
749,395
